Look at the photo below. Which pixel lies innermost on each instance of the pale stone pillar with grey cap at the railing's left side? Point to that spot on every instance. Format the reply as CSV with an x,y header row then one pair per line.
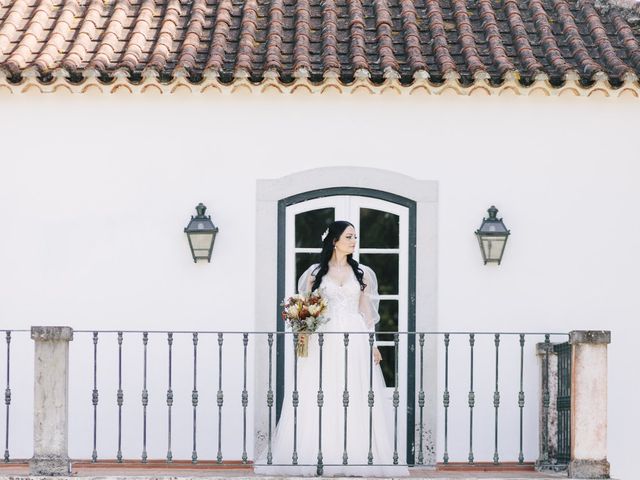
x,y
51,401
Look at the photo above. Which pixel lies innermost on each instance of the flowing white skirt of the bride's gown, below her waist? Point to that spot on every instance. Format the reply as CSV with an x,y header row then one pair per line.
x,y
322,431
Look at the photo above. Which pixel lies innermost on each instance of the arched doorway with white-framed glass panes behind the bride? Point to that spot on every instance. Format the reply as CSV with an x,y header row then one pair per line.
x,y
386,225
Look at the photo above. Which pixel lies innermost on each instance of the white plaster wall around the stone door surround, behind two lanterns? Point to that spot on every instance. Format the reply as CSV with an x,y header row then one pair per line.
x,y
95,192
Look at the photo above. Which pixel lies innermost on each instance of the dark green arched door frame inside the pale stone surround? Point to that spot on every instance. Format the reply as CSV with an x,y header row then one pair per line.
x,y
411,321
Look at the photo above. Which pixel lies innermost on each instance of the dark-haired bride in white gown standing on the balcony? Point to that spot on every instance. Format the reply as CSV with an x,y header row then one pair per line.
x,y
337,432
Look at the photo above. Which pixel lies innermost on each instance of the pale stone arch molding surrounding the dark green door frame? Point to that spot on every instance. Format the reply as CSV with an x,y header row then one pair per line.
x,y
269,192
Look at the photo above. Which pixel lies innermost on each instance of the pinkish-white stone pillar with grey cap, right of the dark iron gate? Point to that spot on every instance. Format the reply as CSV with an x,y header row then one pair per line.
x,y
589,404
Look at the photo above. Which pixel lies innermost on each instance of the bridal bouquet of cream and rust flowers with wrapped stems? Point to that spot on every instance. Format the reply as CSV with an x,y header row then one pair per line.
x,y
304,314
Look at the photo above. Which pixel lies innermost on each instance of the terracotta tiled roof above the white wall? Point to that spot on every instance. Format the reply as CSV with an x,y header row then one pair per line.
x,y
442,38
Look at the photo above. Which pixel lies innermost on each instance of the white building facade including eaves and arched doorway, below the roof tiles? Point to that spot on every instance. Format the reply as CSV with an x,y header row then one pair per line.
x,y
96,188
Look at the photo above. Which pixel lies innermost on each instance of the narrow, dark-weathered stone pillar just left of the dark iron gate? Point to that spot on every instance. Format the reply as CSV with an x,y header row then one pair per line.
x,y
548,408
